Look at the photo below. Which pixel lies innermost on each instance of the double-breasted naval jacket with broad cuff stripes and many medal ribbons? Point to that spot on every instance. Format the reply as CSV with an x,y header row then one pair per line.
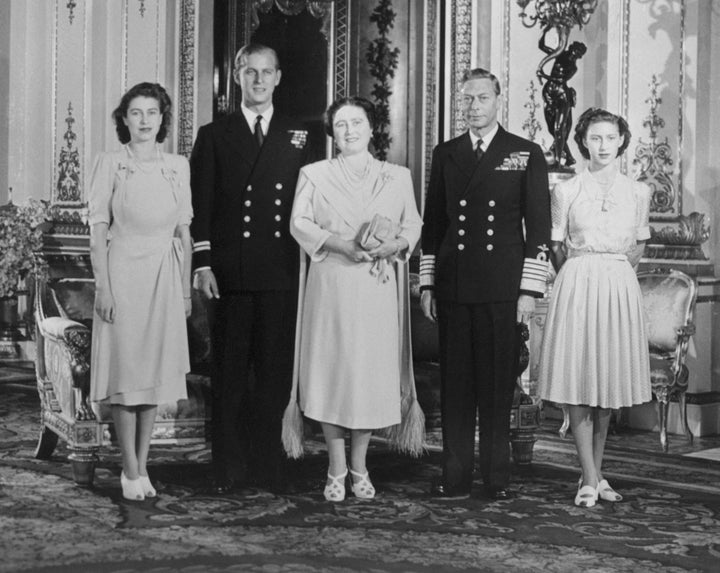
x,y
486,226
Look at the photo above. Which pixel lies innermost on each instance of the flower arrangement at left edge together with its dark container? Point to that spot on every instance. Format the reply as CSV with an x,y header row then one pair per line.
x,y
21,230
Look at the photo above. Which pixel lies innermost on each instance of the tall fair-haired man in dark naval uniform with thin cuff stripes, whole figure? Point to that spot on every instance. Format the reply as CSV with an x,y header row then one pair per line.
x,y
244,168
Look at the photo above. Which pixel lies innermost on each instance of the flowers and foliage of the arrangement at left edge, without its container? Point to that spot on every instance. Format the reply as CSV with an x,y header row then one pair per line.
x,y
21,229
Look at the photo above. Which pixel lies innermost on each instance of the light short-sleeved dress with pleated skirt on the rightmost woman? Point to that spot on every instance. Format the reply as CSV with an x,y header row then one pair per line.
x,y
595,349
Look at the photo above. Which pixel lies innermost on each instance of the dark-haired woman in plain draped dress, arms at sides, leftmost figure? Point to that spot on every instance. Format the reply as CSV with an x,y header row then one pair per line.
x,y
139,216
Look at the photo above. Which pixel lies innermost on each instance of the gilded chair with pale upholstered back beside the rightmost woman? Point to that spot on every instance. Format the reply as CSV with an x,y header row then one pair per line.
x,y
669,299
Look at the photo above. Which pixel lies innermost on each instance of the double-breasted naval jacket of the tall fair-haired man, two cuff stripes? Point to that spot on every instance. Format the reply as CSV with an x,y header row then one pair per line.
x,y
242,199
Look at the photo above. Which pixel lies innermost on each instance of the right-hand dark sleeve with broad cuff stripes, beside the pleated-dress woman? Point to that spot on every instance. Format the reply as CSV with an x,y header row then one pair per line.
x,y
537,226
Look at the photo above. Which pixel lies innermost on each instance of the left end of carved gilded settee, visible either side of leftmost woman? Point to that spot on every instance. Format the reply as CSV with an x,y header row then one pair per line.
x,y
64,311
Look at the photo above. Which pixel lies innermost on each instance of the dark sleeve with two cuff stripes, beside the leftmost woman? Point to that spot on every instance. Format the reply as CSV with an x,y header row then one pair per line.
x,y
202,184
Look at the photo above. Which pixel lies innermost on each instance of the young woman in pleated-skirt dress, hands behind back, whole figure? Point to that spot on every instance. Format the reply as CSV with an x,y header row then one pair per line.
x,y
595,352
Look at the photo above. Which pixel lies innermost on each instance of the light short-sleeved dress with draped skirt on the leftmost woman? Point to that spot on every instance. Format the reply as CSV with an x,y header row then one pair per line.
x,y
142,357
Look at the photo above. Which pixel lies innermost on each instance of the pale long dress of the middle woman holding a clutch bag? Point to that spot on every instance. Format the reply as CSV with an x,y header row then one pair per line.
x,y
351,353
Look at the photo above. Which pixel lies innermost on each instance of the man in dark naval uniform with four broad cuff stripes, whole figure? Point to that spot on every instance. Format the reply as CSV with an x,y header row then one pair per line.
x,y
484,259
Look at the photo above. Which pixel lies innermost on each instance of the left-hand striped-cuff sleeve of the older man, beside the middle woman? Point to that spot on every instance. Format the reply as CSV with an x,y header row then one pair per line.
x,y
435,223
